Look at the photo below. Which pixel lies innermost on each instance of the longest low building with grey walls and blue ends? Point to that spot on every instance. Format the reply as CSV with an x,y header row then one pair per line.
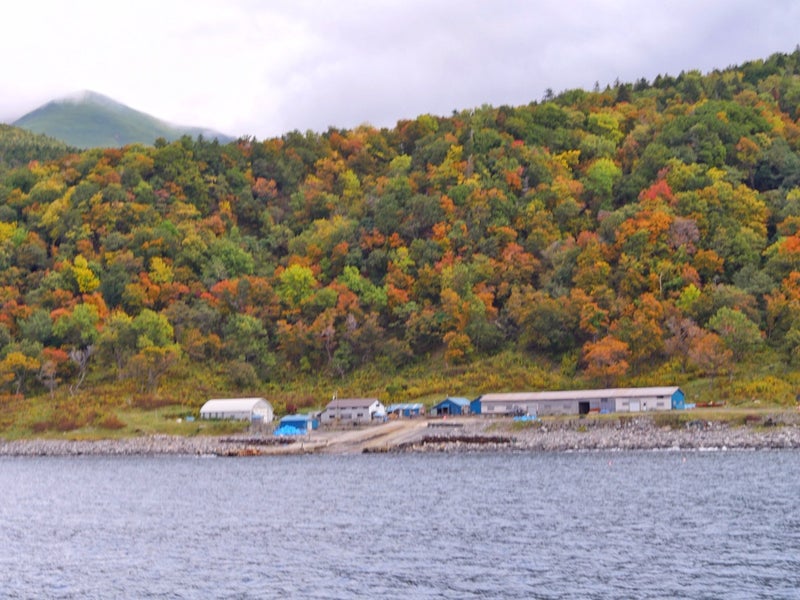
x,y
577,402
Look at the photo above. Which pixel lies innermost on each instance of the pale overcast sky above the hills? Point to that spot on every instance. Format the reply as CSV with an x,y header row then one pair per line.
x,y
261,68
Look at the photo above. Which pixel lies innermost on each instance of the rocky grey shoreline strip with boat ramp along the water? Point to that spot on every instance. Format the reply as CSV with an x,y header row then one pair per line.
x,y
466,434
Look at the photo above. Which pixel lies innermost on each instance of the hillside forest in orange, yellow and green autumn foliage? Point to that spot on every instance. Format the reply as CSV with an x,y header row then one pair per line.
x,y
637,233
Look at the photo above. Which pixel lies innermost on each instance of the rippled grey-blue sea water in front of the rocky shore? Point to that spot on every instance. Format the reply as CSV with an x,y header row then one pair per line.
x,y
484,525
